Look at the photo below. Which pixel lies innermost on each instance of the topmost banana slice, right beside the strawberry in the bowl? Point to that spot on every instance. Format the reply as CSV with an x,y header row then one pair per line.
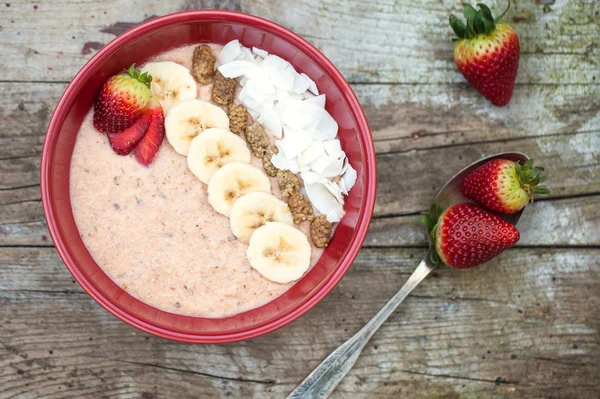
x,y
171,83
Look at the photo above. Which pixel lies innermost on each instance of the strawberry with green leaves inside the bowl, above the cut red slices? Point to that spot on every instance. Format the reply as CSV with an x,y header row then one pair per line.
x,y
122,100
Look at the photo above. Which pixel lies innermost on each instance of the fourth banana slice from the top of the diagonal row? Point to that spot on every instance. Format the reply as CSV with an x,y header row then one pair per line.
x,y
232,181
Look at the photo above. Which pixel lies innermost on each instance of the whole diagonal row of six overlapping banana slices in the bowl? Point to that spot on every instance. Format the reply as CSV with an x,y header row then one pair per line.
x,y
236,189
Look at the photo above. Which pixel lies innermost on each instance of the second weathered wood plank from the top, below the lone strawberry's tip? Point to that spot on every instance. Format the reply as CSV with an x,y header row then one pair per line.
x,y
402,117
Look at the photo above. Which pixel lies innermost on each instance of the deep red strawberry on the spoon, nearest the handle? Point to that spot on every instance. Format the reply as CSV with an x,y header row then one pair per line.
x,y
466,236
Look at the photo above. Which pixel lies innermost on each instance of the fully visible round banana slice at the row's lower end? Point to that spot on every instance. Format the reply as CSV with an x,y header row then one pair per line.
x,y
279,252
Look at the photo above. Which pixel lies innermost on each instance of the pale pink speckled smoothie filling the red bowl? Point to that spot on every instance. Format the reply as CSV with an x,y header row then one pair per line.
x,y
153,232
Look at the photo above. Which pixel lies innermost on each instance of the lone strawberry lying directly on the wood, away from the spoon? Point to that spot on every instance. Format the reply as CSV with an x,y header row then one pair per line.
x,y
487,53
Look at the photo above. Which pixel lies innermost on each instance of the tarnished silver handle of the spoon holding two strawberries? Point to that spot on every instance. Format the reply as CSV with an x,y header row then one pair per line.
x,y
325,378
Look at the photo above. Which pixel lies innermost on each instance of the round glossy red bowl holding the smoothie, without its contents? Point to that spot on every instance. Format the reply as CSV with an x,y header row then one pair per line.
x,y
138,45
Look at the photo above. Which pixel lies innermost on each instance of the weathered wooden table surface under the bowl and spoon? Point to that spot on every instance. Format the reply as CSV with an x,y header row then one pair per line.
x,y
525,326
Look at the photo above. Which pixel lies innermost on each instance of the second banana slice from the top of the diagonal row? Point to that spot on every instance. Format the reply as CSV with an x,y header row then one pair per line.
x,y
187,119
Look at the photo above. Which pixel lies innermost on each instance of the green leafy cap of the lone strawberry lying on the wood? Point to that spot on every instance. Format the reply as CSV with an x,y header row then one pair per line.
x,y
478,21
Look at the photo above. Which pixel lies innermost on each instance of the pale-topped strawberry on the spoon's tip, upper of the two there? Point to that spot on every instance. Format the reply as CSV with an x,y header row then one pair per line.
x,y
504,186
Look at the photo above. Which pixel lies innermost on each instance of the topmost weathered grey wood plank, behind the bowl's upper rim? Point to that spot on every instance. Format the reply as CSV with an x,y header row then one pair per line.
x,y
382,41
